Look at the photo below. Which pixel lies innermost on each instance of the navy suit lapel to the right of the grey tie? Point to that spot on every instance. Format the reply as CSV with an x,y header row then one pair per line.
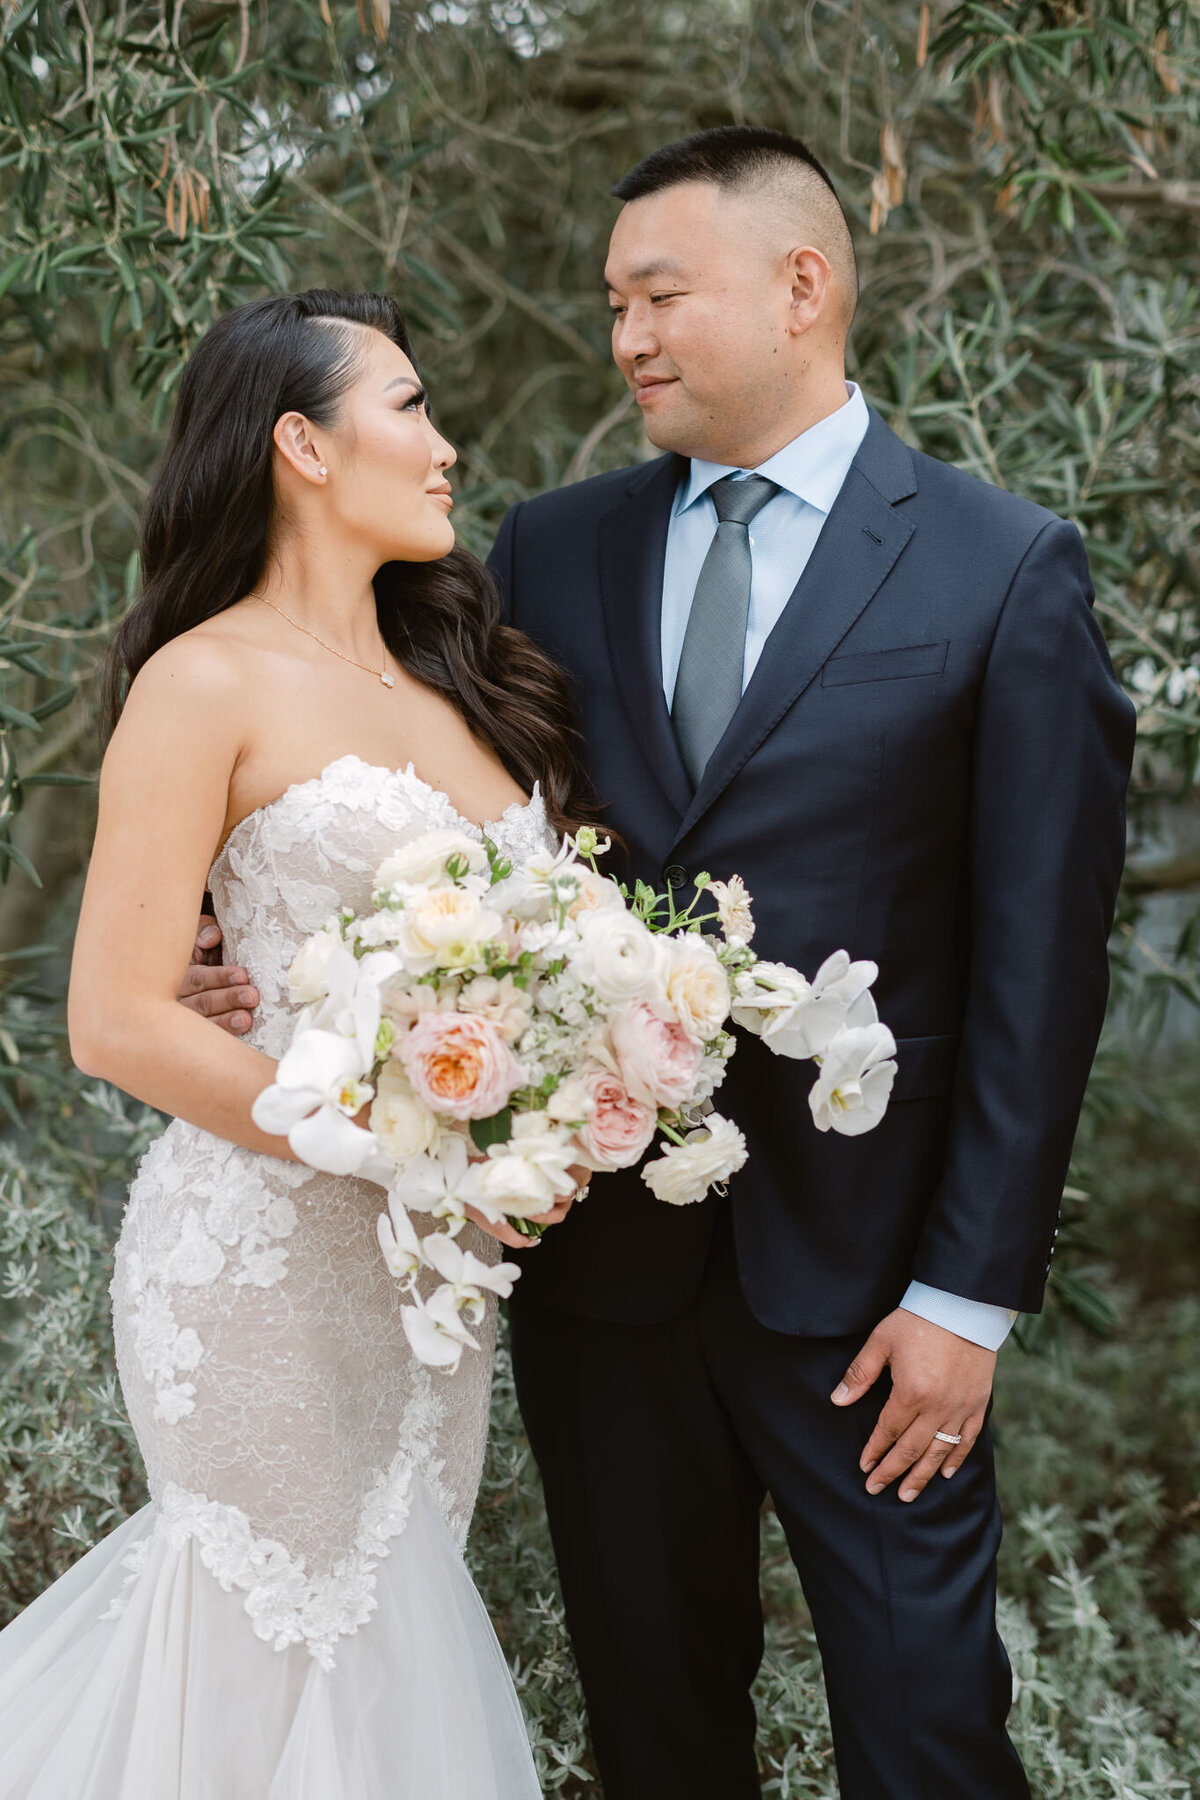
x,y
857,548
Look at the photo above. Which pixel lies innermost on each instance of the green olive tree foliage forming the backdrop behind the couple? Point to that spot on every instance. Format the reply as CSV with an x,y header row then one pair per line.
x,y
1023,188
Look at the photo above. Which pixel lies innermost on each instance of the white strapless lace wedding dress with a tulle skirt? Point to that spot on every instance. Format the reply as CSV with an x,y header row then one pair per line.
x,y
291,1617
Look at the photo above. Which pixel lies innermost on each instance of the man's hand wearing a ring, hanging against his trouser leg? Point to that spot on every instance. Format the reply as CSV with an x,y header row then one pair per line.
x,y
940,1383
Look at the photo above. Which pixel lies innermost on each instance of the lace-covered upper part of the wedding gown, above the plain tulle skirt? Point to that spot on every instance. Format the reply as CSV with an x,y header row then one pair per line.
x,y
280,1410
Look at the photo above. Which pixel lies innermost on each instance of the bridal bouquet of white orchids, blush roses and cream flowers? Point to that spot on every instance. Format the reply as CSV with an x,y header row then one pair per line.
x,y
512,1025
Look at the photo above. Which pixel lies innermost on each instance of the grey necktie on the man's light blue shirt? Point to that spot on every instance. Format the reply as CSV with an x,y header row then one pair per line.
x,y
710,678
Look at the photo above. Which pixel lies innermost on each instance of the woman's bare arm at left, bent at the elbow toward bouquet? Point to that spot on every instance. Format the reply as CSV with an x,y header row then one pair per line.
x,y
163,811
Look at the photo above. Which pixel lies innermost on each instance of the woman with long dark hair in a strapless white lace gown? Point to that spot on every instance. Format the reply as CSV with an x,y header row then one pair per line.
x,y
316,678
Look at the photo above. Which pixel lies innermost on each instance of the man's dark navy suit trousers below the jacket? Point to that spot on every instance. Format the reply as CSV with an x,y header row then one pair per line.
x,y
658,1446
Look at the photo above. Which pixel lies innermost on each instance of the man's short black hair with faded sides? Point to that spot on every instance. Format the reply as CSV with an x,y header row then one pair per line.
x,y
746,157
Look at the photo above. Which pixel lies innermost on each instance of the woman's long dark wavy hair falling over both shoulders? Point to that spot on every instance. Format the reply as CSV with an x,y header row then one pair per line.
x,y
208,525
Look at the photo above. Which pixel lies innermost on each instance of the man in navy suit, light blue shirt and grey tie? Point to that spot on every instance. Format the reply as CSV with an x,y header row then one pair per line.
x,y
872,687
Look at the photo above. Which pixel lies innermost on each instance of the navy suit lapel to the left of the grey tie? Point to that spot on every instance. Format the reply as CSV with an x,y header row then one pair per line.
x,y
632,548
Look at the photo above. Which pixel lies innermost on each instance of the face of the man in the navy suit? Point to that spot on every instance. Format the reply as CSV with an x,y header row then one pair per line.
x,y
701,319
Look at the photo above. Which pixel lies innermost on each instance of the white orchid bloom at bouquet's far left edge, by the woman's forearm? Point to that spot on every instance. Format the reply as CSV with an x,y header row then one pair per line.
x,y
314,1101
